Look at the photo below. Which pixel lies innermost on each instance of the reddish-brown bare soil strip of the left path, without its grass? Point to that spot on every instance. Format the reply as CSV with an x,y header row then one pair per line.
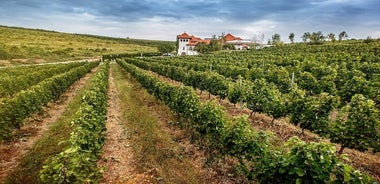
x,y
12,151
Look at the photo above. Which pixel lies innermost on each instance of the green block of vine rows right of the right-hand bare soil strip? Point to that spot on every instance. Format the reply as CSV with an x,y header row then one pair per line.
x,y
307,91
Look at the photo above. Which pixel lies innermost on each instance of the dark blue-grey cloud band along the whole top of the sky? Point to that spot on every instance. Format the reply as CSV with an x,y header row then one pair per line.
x,y
239,10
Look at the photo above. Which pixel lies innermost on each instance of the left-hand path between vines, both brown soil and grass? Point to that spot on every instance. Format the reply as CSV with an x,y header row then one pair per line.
x,y
42,136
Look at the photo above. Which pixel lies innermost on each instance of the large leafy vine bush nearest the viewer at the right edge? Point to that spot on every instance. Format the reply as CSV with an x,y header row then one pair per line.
x,y
357,125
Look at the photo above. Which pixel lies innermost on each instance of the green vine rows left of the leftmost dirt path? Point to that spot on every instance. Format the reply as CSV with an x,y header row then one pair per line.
x,y
15,107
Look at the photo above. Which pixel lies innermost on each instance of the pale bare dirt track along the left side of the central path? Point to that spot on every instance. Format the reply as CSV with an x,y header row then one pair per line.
x,y
117,155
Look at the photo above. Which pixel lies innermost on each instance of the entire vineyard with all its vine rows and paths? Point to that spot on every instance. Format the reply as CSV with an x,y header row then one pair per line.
x,y
290,114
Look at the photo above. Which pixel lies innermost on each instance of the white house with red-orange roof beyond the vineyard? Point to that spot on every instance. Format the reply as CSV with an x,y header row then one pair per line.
x,y
187,43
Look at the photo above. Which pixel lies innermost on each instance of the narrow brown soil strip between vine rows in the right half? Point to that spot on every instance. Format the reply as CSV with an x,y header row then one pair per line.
x,y
283,130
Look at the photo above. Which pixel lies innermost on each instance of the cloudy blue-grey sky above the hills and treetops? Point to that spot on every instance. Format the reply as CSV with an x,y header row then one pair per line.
x,y
164,19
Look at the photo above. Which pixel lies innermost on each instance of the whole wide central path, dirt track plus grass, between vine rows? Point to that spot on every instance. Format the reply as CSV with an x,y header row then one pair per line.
x,y
142,146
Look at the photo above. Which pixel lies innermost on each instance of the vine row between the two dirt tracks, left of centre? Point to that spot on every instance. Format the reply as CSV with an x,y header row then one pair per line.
x,y
78,162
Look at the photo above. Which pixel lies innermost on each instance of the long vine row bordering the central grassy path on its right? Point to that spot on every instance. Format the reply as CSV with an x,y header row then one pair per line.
x,y
255,151
